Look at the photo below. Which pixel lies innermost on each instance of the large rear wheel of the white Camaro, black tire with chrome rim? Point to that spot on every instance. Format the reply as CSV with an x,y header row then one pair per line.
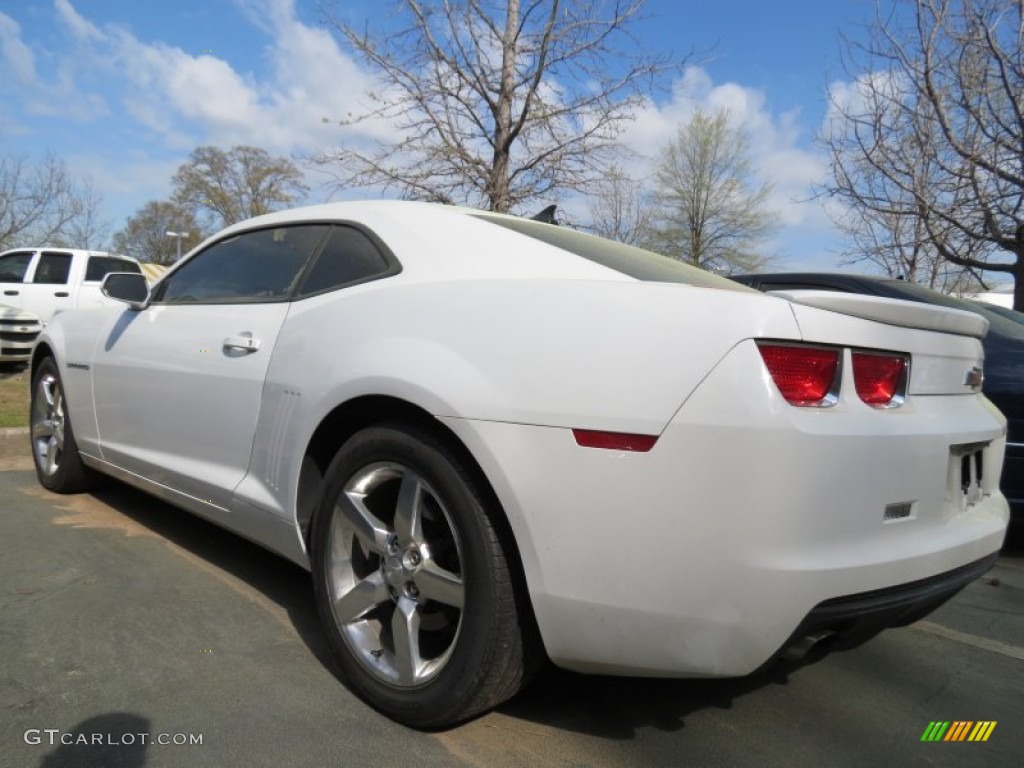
x,y
401,580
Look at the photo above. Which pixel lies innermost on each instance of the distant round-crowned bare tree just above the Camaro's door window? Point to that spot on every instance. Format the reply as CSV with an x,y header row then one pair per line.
x,y
237,185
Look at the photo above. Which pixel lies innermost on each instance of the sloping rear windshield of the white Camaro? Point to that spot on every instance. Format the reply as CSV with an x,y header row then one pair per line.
x,y
629,261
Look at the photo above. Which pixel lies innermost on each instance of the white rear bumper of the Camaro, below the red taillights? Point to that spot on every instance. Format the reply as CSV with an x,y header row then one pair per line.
x,y
706,556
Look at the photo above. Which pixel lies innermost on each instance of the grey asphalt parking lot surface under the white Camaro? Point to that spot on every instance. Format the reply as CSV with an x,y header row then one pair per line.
x,y
123,617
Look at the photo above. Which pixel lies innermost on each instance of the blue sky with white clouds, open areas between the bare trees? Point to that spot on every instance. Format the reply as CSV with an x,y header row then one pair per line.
x,y
124,90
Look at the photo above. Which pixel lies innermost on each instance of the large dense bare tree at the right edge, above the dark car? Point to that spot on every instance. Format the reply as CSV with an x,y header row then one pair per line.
x,y
933,131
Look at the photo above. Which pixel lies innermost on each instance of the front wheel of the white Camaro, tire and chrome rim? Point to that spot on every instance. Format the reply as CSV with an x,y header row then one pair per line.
x,y
59,465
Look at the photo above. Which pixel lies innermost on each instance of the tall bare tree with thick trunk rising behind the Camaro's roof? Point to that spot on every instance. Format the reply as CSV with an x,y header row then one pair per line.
x,y
499,103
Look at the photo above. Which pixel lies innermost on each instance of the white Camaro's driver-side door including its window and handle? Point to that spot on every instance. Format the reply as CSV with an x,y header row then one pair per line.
x,y
178,387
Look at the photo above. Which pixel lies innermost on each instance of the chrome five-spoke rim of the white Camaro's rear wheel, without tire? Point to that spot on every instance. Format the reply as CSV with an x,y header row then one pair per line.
x,y
395,575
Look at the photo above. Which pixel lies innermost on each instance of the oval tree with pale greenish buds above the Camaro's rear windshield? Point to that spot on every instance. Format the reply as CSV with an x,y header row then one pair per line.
x,y
711,210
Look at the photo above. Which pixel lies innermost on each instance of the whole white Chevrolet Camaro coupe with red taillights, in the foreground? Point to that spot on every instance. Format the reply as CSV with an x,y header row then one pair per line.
x,y
495,441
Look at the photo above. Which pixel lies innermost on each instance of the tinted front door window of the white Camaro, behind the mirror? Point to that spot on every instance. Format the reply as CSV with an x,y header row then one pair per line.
x,y
261,266
